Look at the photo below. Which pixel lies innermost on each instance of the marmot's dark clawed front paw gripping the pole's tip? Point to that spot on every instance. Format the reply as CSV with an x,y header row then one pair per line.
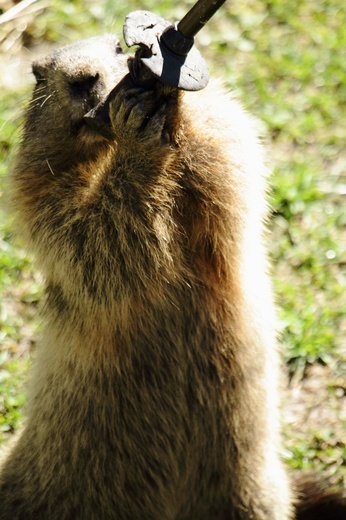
x,y
138,117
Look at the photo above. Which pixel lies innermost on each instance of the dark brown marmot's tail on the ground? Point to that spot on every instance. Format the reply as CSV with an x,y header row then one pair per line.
x,y
319,500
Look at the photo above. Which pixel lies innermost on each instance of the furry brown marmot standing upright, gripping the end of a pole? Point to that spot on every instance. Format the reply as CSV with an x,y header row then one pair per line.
x,y
155,390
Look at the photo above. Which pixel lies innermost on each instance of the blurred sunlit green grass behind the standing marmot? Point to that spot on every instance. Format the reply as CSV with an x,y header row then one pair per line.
x,y
286,62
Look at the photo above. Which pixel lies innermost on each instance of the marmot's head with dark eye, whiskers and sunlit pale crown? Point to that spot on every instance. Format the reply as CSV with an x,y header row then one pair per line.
x,y
69,83
